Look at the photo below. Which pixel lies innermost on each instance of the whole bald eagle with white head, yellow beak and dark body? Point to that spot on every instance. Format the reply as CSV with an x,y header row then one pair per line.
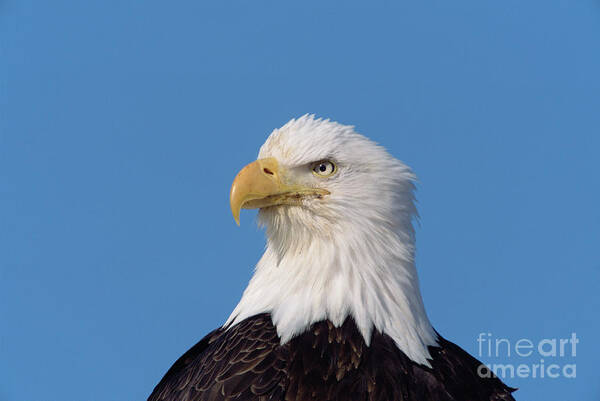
x,y
333,311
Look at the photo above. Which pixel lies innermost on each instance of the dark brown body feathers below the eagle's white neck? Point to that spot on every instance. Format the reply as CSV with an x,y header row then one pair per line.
x,y
326,363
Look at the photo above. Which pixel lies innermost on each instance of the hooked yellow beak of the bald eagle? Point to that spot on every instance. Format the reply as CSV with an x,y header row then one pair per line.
x,y
260,184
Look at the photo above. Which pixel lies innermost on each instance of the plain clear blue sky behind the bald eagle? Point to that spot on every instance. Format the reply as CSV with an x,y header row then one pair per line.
x,y
123,123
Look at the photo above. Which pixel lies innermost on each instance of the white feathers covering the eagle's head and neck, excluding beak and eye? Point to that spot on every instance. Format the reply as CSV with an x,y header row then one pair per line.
x,y
350,253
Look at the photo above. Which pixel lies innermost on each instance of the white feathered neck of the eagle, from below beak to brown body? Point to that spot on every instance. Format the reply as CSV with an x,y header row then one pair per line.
x,y
368,274
